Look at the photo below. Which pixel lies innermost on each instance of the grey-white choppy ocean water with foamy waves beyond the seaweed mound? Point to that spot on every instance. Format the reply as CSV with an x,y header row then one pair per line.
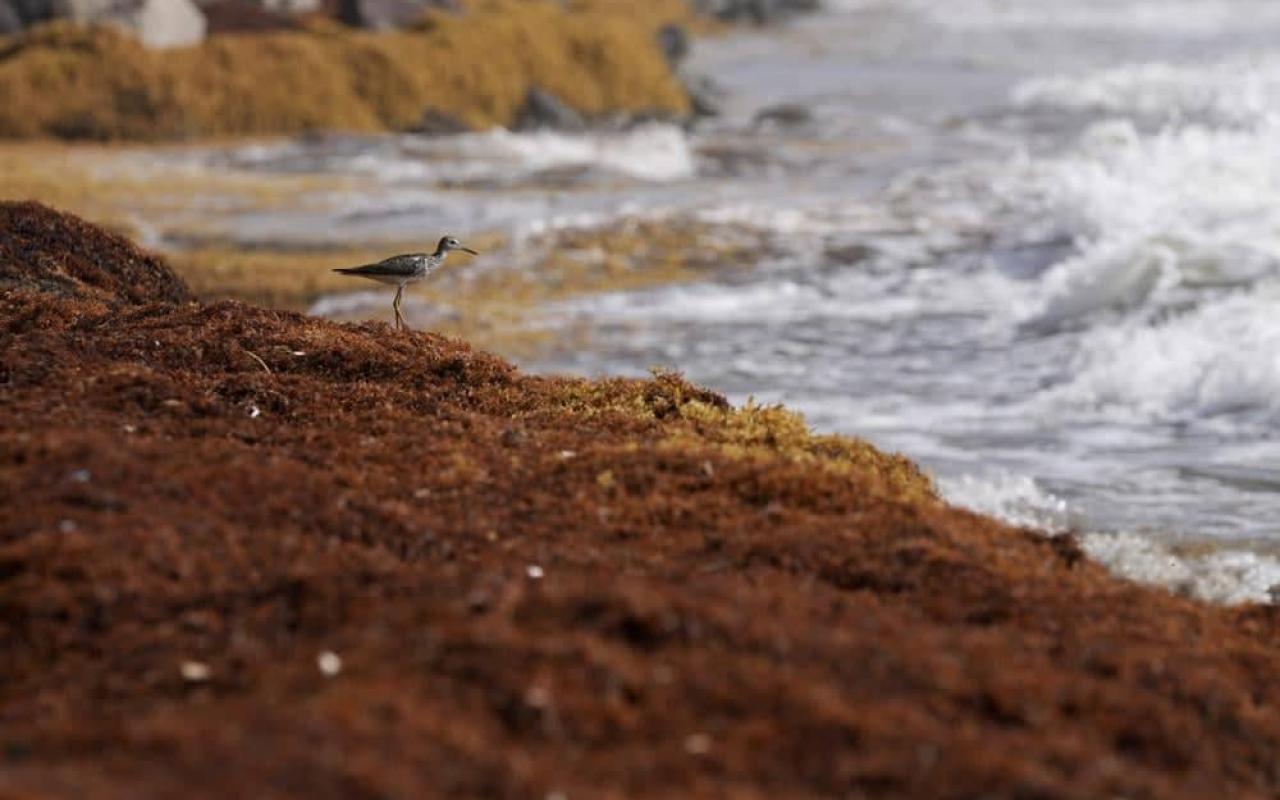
x,y
1034,245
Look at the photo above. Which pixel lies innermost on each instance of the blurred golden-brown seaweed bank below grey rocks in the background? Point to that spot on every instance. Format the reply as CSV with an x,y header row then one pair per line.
x,y
98,84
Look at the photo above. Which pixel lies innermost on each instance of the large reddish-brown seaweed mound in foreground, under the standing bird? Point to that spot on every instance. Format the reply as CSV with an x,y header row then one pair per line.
x,y
252,554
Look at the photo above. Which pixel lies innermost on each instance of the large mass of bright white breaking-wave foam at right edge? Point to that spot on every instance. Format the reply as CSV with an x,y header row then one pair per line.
x,y
1177,245
